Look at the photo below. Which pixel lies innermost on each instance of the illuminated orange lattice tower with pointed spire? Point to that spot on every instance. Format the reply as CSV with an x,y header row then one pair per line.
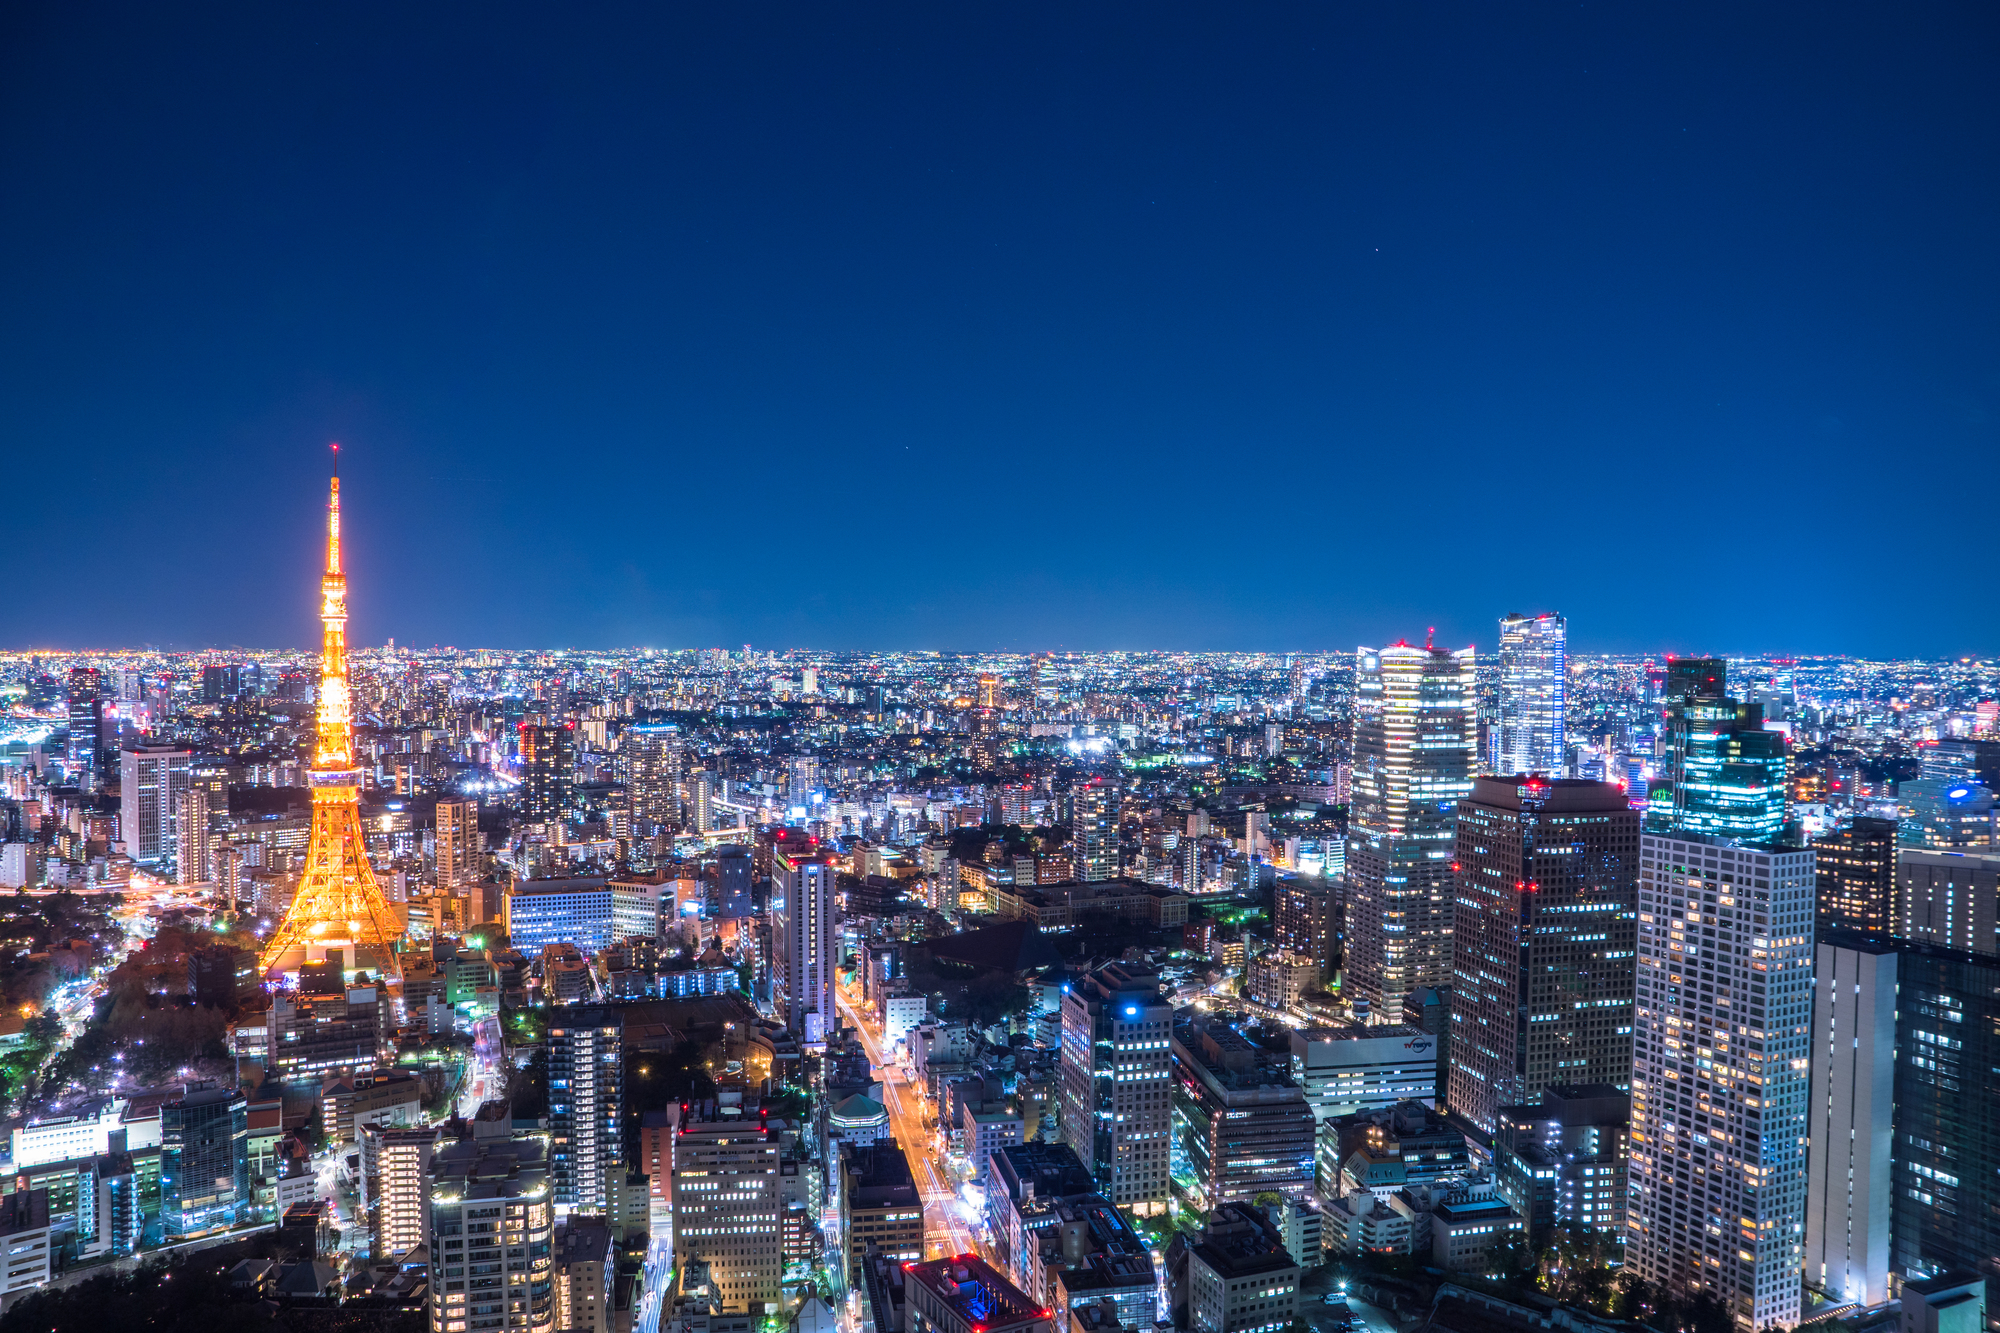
x,y
339,904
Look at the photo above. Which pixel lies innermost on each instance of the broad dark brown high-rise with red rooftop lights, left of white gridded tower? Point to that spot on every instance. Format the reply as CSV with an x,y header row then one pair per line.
x,y
1543,942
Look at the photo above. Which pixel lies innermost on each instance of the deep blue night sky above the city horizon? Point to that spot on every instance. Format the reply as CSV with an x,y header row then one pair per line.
x,y
1017,327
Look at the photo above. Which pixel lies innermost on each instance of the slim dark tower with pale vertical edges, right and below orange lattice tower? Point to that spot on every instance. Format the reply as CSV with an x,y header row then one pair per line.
x,y
585,1102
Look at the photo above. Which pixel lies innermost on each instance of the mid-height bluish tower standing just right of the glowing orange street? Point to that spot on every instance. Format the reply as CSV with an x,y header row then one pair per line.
x,y
1117,1084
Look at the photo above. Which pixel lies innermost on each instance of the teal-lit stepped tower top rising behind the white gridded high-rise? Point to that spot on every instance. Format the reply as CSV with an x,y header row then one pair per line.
x,y
1725,776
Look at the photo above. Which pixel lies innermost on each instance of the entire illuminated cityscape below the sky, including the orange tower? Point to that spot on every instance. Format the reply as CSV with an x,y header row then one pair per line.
x,y
737,990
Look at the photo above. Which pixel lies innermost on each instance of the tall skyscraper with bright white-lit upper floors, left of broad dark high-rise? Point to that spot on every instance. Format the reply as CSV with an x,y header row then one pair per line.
x,y
1415,750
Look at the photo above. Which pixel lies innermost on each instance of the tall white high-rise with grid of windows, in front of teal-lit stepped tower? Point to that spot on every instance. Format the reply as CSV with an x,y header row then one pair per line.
x,y
1723,1036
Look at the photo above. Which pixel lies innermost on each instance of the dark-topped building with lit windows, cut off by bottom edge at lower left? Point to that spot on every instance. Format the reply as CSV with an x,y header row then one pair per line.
x,y
491,1236
